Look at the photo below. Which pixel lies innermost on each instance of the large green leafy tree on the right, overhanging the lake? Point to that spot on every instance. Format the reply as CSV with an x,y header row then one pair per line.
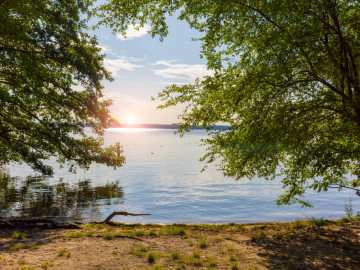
x,y
286,81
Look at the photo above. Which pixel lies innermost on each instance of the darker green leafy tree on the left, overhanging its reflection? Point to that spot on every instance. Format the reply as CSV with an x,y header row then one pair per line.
x,y
50,86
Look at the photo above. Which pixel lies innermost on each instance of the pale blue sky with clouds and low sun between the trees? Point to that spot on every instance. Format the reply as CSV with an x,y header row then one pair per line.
x,y
142,66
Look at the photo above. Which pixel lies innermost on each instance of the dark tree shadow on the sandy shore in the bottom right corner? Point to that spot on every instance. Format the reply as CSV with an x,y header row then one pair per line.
x,y
332,246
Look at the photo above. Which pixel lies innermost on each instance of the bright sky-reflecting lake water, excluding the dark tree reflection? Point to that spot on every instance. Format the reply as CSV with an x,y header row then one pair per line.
x,y
162,177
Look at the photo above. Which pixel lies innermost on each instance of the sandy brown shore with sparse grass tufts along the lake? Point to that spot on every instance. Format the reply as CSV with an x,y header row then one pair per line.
x,y
313,244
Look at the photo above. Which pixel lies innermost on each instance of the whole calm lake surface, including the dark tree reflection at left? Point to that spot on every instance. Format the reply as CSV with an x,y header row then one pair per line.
x,y
161,177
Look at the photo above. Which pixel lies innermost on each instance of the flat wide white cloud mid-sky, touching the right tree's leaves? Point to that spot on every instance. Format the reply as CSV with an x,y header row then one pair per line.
x,y
181,71
